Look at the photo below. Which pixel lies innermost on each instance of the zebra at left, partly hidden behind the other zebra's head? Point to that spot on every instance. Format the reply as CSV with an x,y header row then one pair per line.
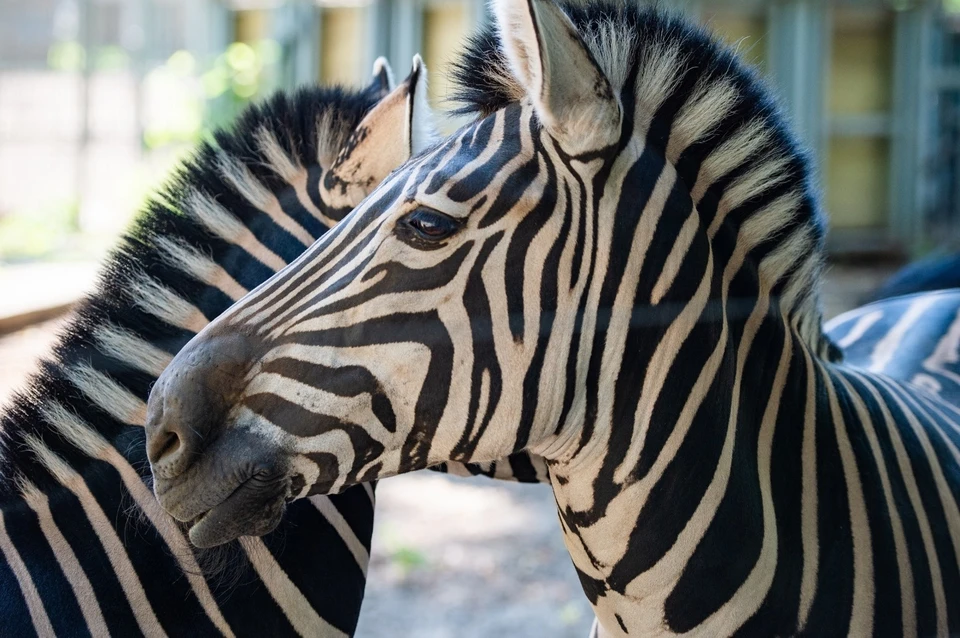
x,y
84,547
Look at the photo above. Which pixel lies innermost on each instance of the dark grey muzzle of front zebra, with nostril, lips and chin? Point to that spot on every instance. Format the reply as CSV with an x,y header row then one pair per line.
x,y
212,471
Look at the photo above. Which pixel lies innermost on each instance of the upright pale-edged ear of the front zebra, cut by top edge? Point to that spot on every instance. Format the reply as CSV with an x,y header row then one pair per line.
x,y
572,96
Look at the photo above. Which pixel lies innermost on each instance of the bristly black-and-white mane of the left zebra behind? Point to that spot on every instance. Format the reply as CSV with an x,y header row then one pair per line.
x,y
151,267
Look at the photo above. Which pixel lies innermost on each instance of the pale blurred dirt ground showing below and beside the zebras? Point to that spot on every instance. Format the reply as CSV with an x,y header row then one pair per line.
x,y
460,557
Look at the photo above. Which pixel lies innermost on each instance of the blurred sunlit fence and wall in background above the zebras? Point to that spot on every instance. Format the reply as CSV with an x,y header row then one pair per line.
x,y
98,98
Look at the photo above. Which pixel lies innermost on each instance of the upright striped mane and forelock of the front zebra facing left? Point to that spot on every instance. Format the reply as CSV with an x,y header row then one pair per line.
x,y
714,119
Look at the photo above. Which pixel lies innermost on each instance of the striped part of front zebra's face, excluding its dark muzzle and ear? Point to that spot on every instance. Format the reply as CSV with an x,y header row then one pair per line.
x,y
422,331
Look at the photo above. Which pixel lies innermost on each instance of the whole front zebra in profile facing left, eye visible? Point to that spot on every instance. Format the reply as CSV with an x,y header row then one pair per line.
x,y
615,268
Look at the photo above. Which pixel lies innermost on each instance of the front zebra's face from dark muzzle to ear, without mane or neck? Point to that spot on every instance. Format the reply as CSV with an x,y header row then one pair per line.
x,y
434,323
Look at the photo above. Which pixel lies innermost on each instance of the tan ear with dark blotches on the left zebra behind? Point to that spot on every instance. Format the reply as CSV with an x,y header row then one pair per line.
x,y
399,126
